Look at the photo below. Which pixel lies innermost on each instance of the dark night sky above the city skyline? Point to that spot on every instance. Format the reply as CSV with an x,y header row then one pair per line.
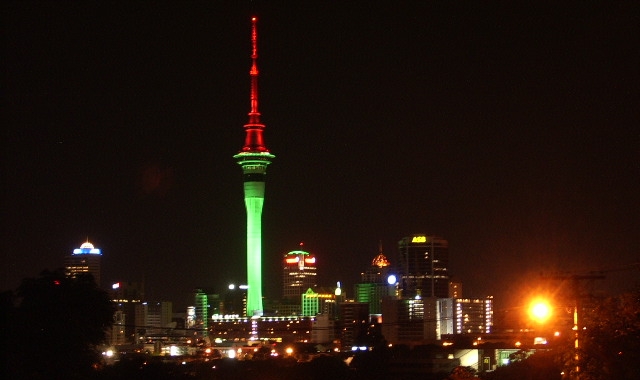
x,y
510,130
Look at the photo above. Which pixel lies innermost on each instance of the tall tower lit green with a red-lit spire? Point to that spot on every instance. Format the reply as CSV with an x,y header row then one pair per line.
x,y
254,158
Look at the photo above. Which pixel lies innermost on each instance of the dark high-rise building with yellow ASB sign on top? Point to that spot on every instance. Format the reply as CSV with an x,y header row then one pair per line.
x,y
424,262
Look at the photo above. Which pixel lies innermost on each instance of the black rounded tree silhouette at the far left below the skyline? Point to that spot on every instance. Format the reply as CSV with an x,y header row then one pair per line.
x,y
56,324
